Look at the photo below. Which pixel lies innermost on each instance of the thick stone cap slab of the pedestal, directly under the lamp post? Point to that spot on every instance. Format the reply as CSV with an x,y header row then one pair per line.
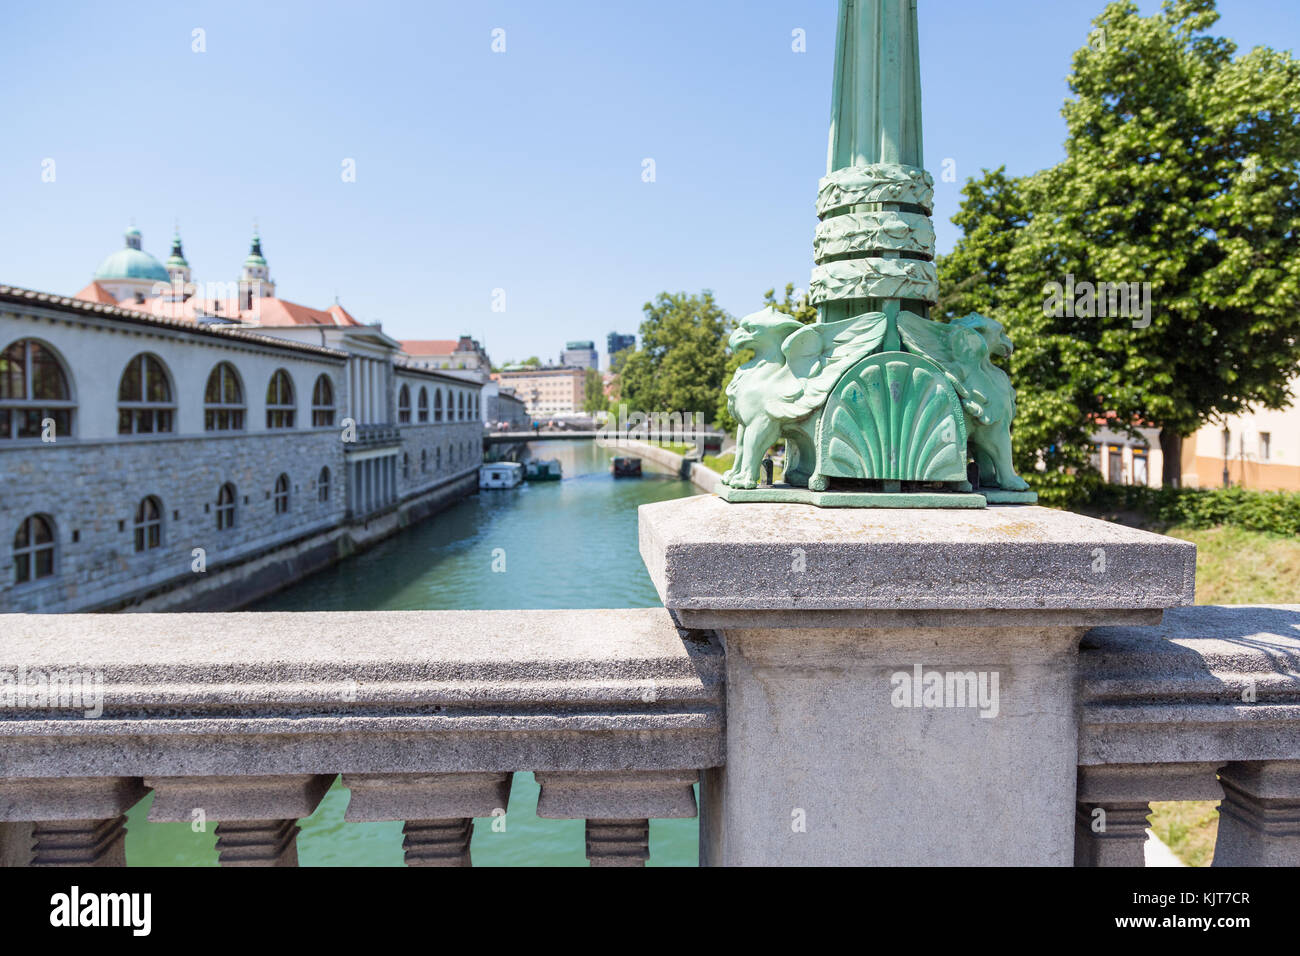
x,y
725,565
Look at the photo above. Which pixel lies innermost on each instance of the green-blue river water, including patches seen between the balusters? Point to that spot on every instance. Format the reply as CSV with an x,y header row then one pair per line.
x,y
566,544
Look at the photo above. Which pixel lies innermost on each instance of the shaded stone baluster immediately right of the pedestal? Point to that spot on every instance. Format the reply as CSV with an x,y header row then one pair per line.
x,y
1115,802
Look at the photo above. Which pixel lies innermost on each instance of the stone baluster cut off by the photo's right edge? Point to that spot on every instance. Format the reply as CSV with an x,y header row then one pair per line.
x,y
1260,815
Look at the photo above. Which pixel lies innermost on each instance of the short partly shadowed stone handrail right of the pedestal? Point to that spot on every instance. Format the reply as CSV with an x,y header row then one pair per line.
x,y
1211,685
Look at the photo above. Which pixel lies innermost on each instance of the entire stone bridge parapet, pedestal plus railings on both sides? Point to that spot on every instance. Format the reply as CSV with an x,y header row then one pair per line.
x,y
756,682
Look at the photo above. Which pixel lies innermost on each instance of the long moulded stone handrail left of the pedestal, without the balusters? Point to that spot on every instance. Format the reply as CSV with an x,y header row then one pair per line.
x,y
359,693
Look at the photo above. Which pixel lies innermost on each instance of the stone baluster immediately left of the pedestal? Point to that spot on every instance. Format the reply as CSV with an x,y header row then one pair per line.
x,y
618,808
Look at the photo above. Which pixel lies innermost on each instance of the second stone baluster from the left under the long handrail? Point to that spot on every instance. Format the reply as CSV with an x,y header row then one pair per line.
x,y
257,817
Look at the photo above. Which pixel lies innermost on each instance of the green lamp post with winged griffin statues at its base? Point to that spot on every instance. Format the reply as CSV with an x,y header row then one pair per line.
x,y
879,405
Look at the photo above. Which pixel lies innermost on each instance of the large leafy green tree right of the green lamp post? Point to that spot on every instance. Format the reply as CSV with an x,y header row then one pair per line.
x,y
1182,171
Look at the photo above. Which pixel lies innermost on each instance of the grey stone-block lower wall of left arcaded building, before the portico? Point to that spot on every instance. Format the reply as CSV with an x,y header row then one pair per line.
x,y
92,492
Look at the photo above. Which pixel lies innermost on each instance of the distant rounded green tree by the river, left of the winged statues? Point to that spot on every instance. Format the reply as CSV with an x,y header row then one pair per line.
x,y
682,362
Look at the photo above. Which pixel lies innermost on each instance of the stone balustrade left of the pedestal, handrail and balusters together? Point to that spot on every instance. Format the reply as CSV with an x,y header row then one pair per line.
x,y
249,719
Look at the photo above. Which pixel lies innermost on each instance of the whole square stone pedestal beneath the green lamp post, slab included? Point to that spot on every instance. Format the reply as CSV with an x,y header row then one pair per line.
x,y
900,685
